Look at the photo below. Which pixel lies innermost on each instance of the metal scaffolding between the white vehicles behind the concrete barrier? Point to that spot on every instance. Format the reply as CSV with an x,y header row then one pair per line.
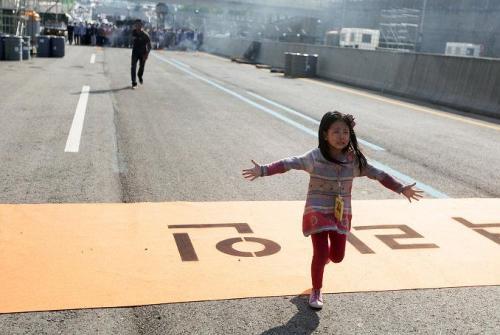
x,y
400,28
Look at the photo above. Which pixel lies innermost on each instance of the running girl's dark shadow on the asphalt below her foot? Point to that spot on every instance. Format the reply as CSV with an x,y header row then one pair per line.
x,y
305,321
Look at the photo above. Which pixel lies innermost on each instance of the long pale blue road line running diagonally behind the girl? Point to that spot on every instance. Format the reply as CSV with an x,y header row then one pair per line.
x,y
428,189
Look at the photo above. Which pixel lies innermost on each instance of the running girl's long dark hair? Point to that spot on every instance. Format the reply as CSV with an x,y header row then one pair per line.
x,y
326,121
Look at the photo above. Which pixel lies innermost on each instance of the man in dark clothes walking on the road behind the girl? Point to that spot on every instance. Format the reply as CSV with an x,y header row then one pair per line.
x,y
141,45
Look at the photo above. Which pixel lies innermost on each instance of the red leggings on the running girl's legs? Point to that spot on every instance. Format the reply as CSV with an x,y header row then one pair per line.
x,y
321,253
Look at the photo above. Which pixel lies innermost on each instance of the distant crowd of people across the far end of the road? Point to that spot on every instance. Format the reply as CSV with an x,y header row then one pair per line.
x,y
111,35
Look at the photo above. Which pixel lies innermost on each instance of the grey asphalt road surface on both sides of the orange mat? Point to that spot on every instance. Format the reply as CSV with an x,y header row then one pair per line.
x,y
186,134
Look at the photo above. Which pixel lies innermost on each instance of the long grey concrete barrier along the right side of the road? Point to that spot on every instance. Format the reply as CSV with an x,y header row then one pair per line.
x,y
468,84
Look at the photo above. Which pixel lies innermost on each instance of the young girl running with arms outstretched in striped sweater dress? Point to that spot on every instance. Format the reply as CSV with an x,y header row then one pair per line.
x,y
332,167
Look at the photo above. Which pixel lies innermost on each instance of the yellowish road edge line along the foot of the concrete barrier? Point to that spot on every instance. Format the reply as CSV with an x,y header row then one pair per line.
x,y
406,105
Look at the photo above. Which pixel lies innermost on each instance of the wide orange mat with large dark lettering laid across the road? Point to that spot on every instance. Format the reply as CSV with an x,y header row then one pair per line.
x,y
65,256
